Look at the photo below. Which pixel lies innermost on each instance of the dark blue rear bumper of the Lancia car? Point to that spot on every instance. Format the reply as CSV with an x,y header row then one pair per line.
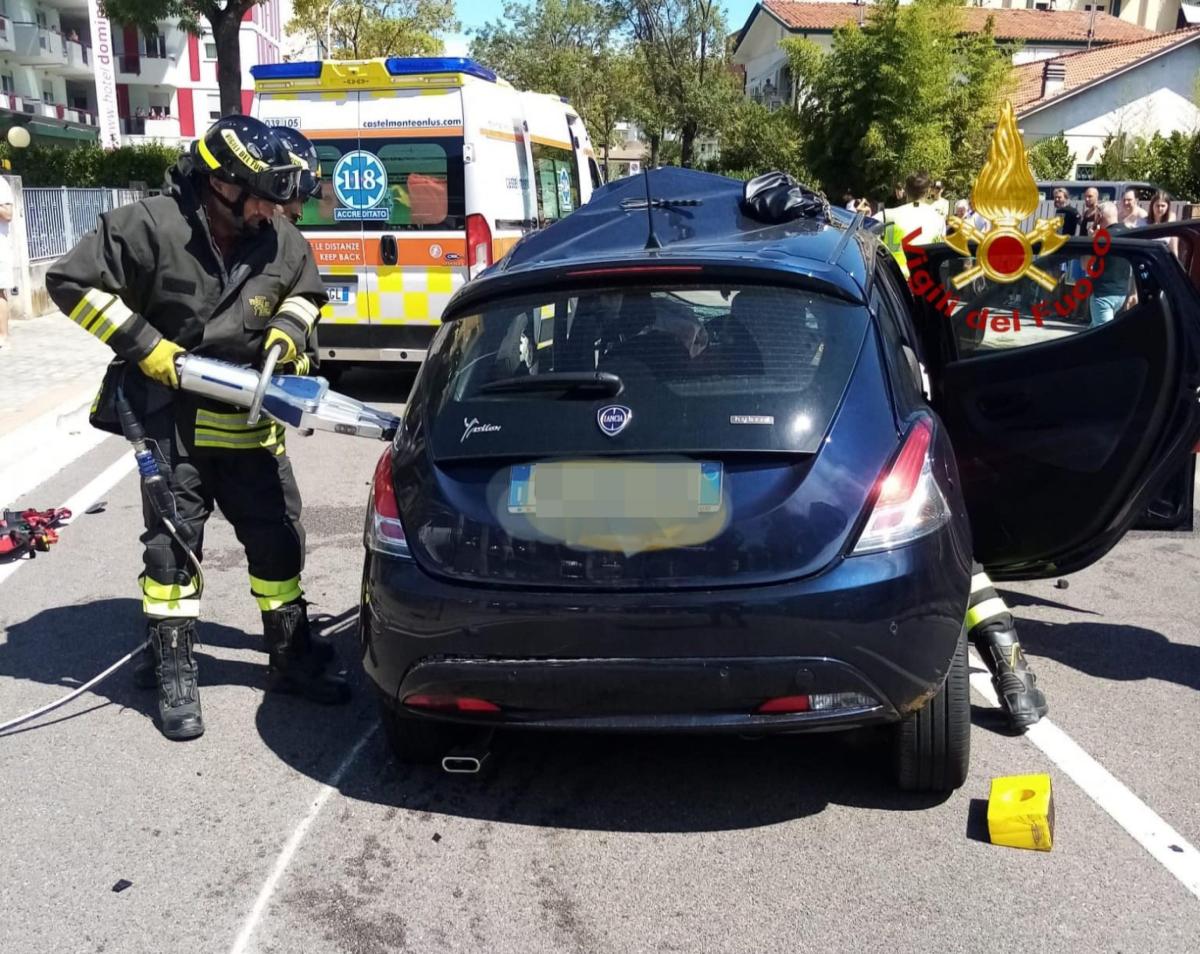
x,y
884,626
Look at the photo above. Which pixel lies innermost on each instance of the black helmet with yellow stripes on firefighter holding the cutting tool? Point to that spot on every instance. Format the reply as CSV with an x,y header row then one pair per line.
x,y
247,153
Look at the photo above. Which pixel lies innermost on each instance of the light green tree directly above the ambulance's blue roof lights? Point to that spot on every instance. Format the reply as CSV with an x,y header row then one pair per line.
x,y
362,29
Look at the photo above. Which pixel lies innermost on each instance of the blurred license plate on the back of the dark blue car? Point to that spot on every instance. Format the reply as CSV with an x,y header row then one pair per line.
x,y
616,489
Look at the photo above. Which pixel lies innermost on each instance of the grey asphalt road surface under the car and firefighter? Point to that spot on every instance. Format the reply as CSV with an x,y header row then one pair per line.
x,y
238,843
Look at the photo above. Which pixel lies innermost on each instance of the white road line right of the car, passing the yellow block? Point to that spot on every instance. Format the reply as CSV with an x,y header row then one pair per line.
x,y
1143,824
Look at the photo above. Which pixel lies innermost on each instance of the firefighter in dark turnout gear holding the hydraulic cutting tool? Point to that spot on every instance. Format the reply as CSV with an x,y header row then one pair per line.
x,y
209,268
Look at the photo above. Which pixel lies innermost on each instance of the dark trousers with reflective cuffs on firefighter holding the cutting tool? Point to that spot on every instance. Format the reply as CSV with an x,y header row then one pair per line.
x,y
255,490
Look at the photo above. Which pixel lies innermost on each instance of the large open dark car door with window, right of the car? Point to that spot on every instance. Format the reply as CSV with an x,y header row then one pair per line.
x,y
1071,407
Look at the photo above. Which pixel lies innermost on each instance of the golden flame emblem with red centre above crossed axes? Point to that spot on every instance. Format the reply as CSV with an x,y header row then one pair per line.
x,y
1005,194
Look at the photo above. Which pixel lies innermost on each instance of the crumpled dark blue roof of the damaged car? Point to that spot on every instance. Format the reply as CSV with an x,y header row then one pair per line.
x,y
704,224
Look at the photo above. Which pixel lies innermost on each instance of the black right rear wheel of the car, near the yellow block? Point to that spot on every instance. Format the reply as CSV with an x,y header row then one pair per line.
x,y
933,746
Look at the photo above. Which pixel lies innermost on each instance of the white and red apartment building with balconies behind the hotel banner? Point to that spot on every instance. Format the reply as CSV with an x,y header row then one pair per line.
x,y
166,82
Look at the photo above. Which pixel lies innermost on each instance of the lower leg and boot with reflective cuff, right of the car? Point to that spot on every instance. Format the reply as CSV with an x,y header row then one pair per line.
x,y
991,628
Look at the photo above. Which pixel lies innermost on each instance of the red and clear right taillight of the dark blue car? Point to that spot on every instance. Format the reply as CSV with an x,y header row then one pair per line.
x,y
910,503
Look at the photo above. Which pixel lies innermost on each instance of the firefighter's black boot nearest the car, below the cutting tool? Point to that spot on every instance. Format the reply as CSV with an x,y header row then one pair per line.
x,y
301,663
